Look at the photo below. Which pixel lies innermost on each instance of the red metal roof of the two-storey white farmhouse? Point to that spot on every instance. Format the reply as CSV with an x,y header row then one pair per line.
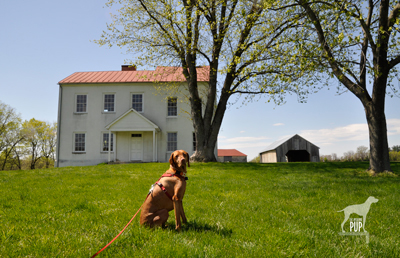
x,y
161,74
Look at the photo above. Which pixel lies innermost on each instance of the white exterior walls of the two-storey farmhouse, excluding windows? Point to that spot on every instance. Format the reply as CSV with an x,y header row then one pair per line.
x,y
94,122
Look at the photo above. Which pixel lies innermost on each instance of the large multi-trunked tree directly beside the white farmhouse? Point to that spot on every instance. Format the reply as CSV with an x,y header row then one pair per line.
x,y
236,39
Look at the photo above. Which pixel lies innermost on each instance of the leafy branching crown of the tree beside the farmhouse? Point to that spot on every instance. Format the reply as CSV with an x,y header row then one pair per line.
x,y
241,40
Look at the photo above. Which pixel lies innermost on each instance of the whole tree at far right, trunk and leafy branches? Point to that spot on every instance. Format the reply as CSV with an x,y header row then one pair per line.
x,y
355,42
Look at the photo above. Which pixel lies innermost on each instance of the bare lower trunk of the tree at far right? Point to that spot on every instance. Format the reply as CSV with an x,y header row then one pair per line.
x,y
379,148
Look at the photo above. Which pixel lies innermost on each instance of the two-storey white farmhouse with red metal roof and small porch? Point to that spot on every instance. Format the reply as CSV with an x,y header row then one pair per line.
x,y
128,115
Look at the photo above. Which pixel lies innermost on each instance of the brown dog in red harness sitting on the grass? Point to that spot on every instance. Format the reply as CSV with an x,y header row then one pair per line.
x,y
167,194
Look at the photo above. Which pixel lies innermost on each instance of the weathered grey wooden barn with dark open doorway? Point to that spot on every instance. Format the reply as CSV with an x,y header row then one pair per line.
x,y
292,149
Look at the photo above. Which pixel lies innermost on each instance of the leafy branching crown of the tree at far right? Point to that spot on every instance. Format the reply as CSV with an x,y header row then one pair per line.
x,y
340,40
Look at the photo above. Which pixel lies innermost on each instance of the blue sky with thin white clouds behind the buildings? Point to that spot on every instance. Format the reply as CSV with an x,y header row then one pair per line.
x,y
44,41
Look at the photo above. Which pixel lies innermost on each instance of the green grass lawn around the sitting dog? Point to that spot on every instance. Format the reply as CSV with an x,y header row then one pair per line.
x,y
233,210
